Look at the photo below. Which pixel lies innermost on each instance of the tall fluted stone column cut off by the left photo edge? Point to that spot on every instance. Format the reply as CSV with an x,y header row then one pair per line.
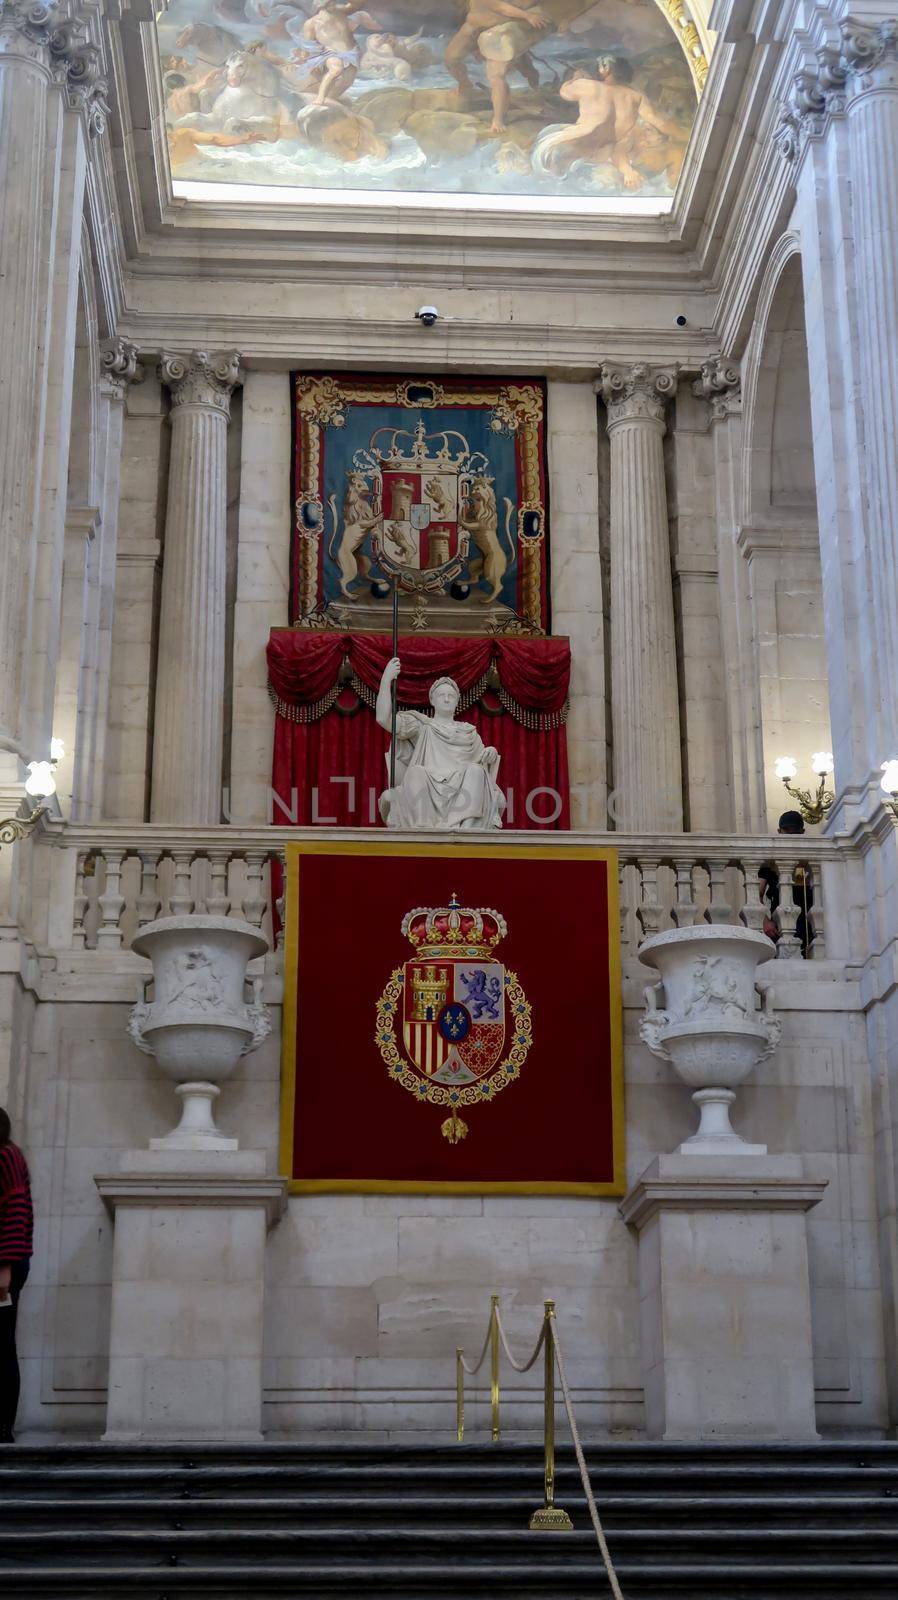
x,y
25,86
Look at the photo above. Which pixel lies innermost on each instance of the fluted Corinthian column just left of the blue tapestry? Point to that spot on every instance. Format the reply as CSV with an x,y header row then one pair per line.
x,y
190,686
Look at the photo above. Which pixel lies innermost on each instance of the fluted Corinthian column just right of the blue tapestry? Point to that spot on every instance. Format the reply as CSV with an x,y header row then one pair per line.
x,y
646,714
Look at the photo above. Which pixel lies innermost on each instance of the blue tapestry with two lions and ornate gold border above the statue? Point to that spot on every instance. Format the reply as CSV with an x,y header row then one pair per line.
x,y
435,487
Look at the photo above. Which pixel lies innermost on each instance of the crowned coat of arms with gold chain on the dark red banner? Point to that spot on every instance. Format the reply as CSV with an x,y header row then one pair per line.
x,y
449,1014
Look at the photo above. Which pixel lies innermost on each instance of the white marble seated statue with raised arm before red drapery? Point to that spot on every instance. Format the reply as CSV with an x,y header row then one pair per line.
x,y
446,774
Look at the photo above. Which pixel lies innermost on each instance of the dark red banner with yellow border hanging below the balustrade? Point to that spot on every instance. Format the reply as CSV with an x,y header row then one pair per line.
x,y
452,1020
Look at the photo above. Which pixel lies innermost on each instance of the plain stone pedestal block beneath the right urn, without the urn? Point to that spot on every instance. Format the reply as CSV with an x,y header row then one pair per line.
x,y
726,1297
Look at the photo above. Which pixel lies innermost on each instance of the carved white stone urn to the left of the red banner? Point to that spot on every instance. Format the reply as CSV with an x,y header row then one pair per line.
x,y
199,1022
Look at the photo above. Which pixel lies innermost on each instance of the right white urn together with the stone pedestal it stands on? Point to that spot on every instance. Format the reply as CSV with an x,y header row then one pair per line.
x,y
723,1236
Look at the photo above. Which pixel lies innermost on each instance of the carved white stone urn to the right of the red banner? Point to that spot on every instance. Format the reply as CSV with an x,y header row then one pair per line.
x,y
715,1022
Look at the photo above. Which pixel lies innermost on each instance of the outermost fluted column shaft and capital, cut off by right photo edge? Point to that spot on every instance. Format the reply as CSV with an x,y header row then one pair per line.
x,y
872,60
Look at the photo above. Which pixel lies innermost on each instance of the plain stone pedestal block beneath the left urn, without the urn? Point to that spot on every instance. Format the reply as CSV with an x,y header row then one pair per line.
x,y
188,1287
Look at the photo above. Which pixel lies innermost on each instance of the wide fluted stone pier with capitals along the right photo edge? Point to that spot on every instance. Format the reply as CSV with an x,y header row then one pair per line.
x,y
841,135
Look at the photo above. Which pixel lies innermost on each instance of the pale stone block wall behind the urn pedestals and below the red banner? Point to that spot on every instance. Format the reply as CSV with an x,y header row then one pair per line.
x,y
367,1297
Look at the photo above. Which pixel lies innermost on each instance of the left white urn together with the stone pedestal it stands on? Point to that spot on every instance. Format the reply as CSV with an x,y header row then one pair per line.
x,y
193,1212
